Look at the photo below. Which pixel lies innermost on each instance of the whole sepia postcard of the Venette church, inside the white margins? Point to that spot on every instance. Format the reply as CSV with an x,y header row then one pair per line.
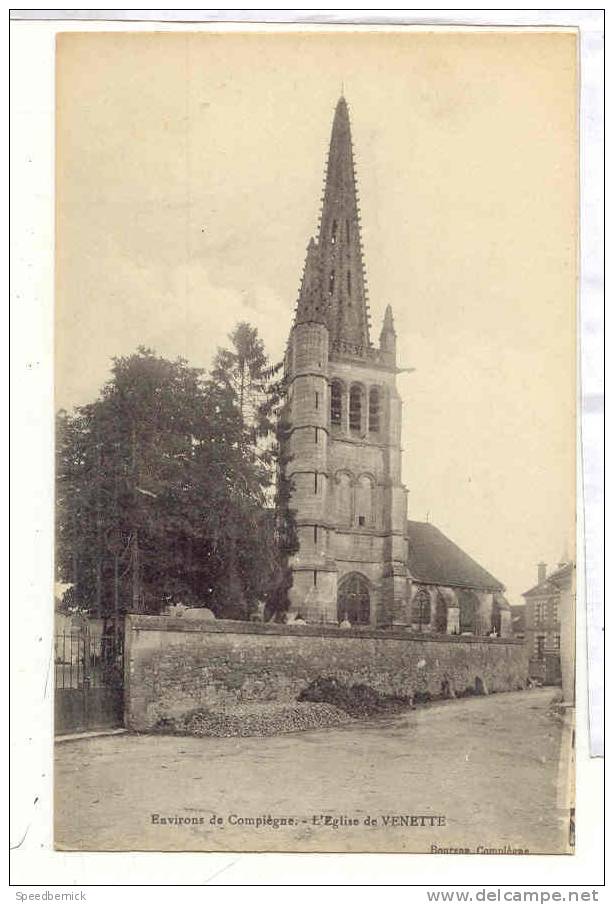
x,y
316,428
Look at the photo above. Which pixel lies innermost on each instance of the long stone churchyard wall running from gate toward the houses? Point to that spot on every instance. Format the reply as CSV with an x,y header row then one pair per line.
x,y
174,665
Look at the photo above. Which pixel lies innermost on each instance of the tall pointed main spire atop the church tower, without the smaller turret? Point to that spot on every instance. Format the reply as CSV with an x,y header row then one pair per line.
x,y
339,244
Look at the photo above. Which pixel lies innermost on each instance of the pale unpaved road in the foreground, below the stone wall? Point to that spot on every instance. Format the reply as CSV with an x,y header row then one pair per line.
x,y
489,766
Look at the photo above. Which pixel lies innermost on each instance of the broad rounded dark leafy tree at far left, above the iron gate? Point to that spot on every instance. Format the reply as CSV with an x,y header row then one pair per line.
x,y
122,483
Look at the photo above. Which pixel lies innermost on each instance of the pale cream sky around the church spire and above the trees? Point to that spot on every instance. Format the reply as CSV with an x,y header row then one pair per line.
x,y
189,174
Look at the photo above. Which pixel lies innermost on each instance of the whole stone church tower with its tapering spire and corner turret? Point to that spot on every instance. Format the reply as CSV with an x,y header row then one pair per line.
x,y
345,424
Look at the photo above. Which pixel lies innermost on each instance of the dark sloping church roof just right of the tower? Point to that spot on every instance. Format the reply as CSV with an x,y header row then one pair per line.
x,y
435,559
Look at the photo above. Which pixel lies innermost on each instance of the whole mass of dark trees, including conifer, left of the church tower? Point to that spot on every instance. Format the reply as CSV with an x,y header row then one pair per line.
x,y
170,487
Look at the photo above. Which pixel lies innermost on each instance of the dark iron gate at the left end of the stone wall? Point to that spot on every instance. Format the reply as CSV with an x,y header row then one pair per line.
x,y
89,680
